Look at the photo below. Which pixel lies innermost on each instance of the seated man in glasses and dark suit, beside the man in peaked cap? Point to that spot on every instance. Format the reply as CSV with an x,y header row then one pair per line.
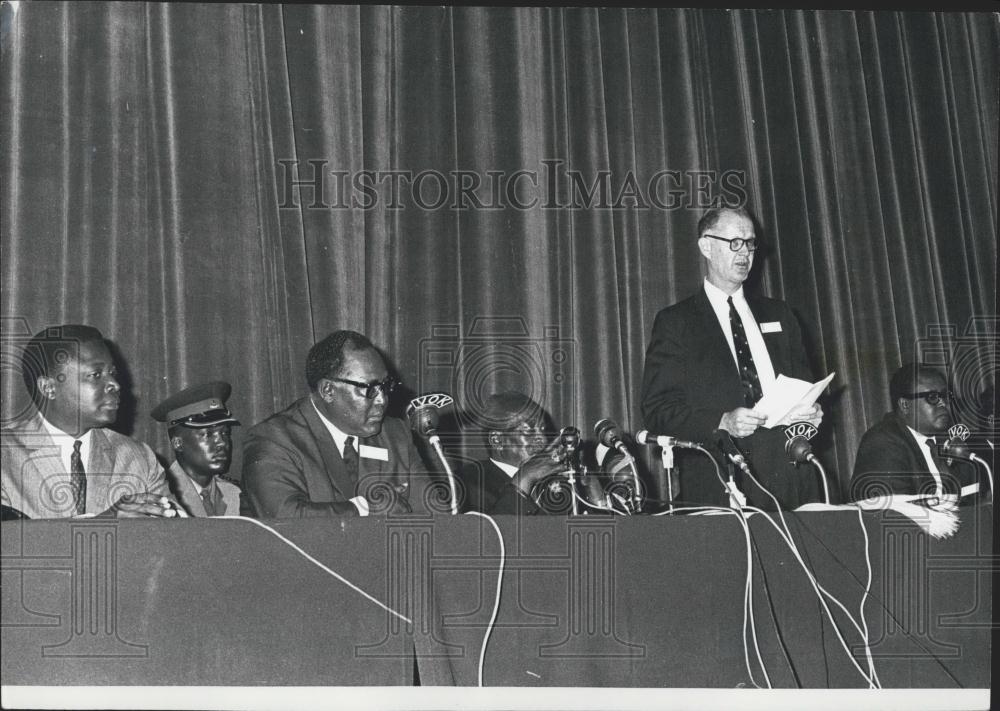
x,y
334,452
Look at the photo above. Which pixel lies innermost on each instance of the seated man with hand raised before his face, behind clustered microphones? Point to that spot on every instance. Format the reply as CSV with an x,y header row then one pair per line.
x,y
517,428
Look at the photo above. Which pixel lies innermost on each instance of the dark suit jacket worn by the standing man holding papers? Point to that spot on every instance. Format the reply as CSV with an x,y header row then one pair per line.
x,y
690,380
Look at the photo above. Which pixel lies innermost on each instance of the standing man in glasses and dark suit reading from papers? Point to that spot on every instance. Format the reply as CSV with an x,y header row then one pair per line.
x,y
711,358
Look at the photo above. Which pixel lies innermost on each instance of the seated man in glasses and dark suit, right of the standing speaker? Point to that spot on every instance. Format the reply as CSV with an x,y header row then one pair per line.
x,y
899,454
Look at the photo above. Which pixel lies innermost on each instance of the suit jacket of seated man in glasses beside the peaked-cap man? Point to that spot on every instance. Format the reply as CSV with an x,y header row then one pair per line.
x,y
292,468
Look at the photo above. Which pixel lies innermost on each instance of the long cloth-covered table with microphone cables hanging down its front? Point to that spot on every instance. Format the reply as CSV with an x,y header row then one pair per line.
x,y
585,601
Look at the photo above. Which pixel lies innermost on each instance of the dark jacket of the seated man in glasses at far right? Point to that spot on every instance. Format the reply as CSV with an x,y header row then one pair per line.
x,y
890,461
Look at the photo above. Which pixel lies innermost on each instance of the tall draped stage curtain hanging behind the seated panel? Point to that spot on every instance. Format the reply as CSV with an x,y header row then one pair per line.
x,y
150,154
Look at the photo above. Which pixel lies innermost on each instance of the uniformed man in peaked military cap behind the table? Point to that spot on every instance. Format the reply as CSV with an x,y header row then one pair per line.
x,y
200,428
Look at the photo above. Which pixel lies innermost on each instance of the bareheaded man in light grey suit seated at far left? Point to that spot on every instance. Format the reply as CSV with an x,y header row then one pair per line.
x,y
62,460
